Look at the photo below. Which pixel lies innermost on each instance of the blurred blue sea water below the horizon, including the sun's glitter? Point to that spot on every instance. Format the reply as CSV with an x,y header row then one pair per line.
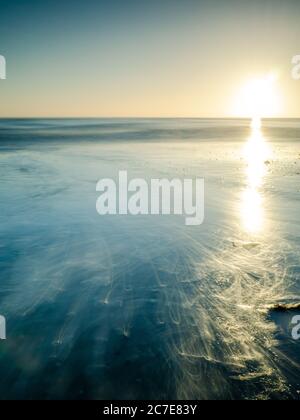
x,y
124,307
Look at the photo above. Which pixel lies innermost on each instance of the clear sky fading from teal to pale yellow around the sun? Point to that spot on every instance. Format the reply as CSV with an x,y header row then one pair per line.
x,y
136,58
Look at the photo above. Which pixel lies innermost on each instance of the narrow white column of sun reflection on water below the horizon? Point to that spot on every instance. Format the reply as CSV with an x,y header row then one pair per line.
x,y
256,153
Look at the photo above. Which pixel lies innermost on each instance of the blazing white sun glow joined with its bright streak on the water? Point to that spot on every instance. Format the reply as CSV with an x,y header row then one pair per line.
x,y
258,99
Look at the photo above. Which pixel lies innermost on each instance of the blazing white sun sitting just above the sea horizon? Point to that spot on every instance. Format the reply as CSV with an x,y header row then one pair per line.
x,y
259,98
